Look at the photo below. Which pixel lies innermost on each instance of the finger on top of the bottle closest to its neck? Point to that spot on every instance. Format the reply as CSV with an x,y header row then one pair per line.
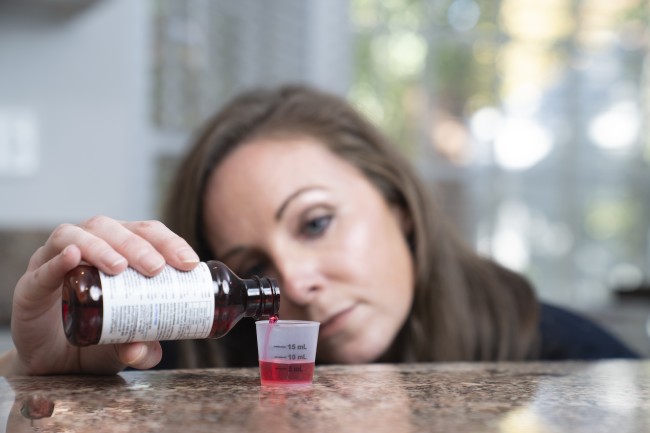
x,y
176,250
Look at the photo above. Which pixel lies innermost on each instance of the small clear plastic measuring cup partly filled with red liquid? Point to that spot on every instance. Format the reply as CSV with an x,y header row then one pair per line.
x,y
287,351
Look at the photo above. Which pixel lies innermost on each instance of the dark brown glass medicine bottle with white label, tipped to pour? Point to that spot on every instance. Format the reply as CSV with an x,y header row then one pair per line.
x,y
203,303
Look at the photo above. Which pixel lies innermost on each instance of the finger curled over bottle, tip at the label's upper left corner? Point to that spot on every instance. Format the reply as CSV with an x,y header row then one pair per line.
x,y
94,249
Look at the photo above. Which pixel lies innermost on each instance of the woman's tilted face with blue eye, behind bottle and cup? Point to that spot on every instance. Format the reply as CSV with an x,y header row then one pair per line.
x,y
293,210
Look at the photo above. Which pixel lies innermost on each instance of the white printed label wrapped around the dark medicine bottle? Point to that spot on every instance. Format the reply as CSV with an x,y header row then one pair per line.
x,y
173,305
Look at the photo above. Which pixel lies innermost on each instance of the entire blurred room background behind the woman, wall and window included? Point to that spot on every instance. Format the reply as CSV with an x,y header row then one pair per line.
x,y
528,118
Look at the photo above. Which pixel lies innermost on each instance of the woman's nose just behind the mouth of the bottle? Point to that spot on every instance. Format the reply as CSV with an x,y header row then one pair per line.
x,y
300,280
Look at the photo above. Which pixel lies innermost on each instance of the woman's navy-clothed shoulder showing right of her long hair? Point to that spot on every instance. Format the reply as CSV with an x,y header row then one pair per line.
x,y
568,335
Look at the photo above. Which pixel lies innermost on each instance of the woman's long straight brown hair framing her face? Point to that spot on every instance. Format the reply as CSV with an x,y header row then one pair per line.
x,y
465,308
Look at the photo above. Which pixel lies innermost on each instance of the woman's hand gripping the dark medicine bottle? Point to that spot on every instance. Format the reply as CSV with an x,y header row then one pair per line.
x,y
111,246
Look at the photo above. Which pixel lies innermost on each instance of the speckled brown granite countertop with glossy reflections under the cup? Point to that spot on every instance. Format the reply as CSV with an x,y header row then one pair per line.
x,y
460,397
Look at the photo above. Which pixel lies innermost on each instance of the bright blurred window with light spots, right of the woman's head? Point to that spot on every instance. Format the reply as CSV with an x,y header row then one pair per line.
x,y
529,116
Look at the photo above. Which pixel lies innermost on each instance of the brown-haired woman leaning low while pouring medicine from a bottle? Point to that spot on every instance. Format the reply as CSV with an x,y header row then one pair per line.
x,y
295,184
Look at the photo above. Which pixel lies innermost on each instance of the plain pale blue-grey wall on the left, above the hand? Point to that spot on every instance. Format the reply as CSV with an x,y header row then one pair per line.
x,y
74,134
